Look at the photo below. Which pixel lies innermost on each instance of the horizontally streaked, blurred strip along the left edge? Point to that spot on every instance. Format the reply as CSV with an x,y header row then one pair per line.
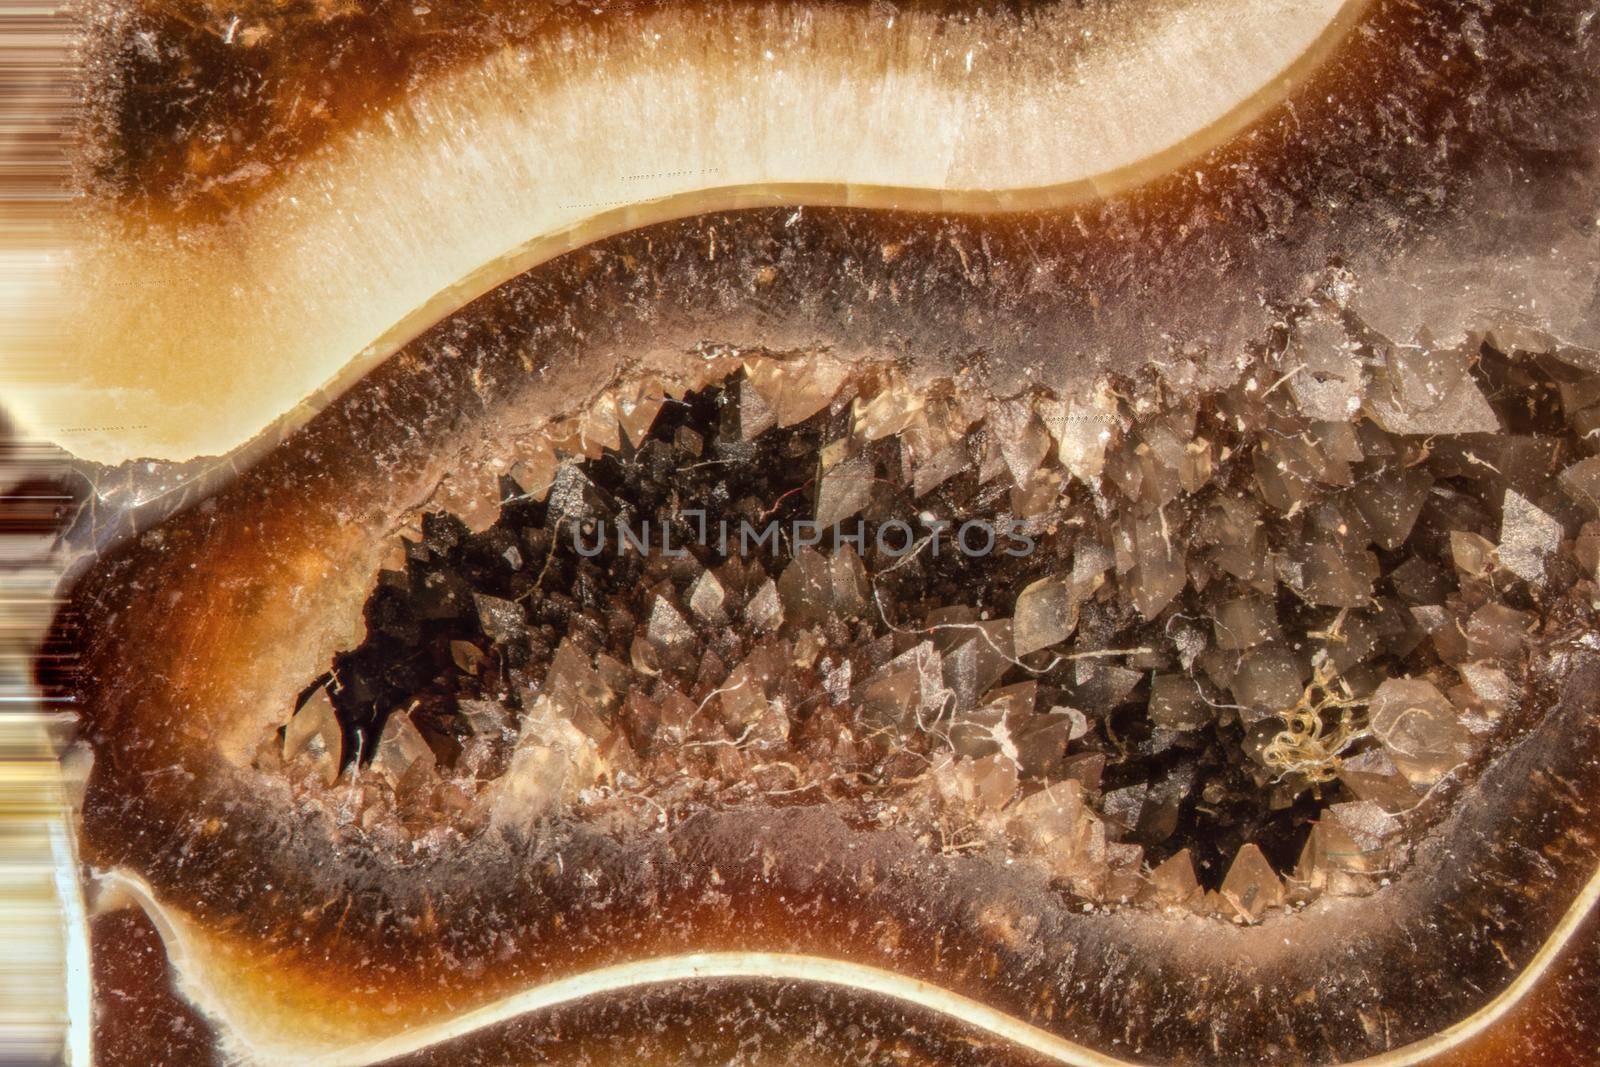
x,y
44,956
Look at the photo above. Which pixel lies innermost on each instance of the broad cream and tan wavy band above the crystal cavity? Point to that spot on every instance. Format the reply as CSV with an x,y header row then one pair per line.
x,y
193,342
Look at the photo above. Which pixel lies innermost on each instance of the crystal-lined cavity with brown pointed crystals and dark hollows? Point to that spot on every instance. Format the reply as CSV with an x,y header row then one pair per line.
x,y
1223,652
